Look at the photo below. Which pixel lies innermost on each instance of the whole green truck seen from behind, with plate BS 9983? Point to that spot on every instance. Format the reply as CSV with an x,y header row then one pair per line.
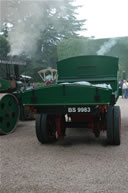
x,y
85,96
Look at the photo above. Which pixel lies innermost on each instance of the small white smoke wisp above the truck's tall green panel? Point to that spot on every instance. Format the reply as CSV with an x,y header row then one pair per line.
x,y
106,47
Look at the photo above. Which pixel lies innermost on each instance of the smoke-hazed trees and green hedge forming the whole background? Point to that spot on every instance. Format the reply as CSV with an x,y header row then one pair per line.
x,y
46,32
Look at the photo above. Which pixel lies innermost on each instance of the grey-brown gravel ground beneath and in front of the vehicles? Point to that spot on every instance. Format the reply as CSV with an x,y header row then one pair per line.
x,y
79,164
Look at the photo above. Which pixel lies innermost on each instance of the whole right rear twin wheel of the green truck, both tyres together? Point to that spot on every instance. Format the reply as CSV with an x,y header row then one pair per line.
x,y
114,125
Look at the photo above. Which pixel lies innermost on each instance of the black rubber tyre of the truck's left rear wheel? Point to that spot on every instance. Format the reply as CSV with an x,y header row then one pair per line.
x,y
42,128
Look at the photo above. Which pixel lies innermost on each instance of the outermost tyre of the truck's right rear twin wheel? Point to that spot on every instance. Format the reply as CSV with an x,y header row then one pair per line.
x,y
117,126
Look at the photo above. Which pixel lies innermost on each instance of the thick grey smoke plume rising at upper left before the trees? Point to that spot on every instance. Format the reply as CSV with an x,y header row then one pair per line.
x,y
28,24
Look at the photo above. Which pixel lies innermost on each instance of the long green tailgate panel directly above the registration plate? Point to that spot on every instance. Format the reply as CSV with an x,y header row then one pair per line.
x,y
66,95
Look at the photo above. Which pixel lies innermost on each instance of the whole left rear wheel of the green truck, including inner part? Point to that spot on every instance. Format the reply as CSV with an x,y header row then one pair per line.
x,y
45,128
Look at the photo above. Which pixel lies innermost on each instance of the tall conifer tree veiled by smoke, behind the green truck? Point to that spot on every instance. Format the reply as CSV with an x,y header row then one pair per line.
x,y
39,26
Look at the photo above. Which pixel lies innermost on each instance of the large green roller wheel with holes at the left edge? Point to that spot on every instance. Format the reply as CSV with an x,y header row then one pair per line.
x,y
9,113
